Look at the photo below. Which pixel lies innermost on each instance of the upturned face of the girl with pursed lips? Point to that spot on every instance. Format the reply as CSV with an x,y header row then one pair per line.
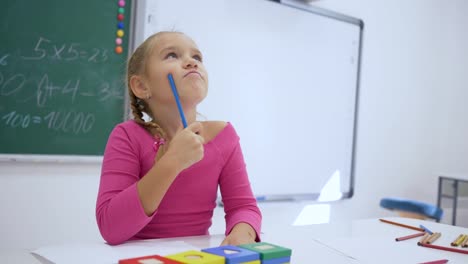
x,y
177,54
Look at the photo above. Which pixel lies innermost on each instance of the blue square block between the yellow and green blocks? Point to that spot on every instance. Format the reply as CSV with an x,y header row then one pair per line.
x,y
235,255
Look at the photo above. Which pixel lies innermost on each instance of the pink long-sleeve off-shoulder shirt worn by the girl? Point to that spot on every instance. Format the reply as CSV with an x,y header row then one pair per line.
x,y
187,207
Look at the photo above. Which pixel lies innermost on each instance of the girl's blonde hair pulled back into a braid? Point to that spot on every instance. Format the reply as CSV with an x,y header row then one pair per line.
x,y
137,66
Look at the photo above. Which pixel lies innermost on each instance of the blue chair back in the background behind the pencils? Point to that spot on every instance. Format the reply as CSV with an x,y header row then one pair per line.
x,y
406,205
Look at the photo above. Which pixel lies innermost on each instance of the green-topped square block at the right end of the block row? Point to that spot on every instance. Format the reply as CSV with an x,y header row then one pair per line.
x,y
269,253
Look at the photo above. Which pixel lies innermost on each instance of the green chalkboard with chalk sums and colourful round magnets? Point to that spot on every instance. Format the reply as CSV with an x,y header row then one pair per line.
x,y
62,86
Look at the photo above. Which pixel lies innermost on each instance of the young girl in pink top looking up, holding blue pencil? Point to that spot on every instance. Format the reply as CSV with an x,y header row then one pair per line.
x,y
160,180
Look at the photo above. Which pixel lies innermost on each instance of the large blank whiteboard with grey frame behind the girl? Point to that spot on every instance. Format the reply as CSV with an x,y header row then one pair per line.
x,y
287,79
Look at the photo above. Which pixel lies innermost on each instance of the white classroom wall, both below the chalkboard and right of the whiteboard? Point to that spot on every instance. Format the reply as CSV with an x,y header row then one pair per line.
x,y
412,125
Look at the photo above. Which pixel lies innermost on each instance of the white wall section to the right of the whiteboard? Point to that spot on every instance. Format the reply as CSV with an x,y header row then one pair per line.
x,y
412,123
